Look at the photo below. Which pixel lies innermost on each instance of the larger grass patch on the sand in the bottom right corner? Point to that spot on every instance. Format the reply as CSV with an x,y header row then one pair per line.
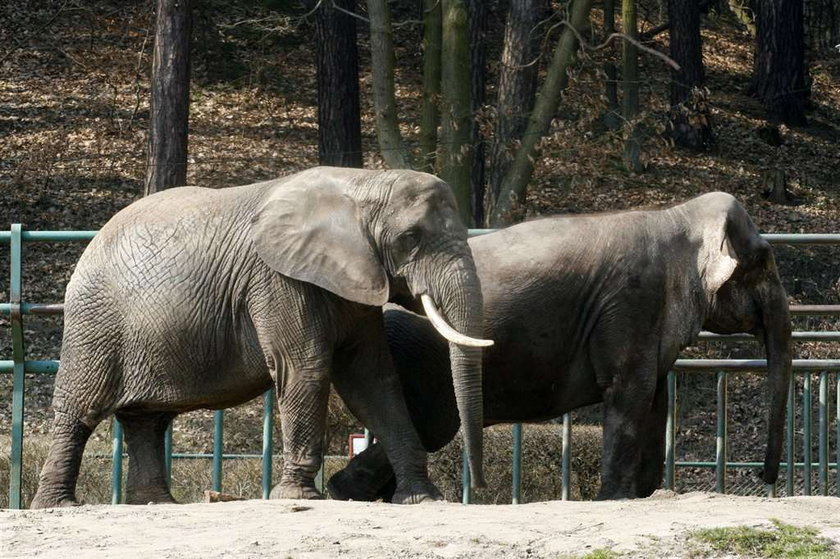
x,y
784,540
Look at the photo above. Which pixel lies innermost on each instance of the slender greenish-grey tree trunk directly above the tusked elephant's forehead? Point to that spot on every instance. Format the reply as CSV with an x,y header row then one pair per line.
x,y
384,100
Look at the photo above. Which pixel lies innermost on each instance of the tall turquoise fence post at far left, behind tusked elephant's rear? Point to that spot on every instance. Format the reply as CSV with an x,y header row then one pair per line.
x,y
18,355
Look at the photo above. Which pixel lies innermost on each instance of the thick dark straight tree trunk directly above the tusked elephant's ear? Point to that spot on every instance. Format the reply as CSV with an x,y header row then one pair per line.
x,y
339,124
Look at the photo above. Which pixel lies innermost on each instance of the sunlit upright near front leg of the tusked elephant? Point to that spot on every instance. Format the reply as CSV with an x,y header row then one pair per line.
x,y
304,392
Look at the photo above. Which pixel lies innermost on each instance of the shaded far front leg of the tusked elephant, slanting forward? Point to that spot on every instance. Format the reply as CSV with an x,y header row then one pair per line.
x,y
365,378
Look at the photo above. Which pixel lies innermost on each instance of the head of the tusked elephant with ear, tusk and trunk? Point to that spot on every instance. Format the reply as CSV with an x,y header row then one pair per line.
x,y
385,236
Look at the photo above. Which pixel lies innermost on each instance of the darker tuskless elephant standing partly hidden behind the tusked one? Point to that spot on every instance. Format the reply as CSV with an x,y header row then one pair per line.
x,y
595,309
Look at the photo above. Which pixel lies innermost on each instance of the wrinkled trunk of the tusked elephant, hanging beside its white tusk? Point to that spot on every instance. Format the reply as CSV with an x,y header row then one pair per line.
x,y
461,302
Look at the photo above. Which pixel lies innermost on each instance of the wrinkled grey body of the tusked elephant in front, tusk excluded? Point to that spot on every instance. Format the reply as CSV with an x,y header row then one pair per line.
x,y
202,298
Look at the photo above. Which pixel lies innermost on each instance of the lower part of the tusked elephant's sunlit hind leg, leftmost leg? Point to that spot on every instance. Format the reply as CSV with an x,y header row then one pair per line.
x,y
57,483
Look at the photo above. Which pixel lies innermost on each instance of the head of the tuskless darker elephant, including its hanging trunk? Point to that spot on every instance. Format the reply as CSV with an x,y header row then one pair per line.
x,y
744,294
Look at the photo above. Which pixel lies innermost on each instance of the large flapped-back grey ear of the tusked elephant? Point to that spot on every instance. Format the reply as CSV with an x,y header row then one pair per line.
x,y
313,233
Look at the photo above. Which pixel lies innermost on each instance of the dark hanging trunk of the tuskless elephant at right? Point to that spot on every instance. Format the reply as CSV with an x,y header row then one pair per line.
x,y
776,326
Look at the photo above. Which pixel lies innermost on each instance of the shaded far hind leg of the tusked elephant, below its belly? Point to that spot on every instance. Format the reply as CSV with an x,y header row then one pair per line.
x,y
147,480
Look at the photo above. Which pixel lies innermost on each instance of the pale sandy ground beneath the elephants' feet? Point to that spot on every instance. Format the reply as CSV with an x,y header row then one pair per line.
x,y
654,527
